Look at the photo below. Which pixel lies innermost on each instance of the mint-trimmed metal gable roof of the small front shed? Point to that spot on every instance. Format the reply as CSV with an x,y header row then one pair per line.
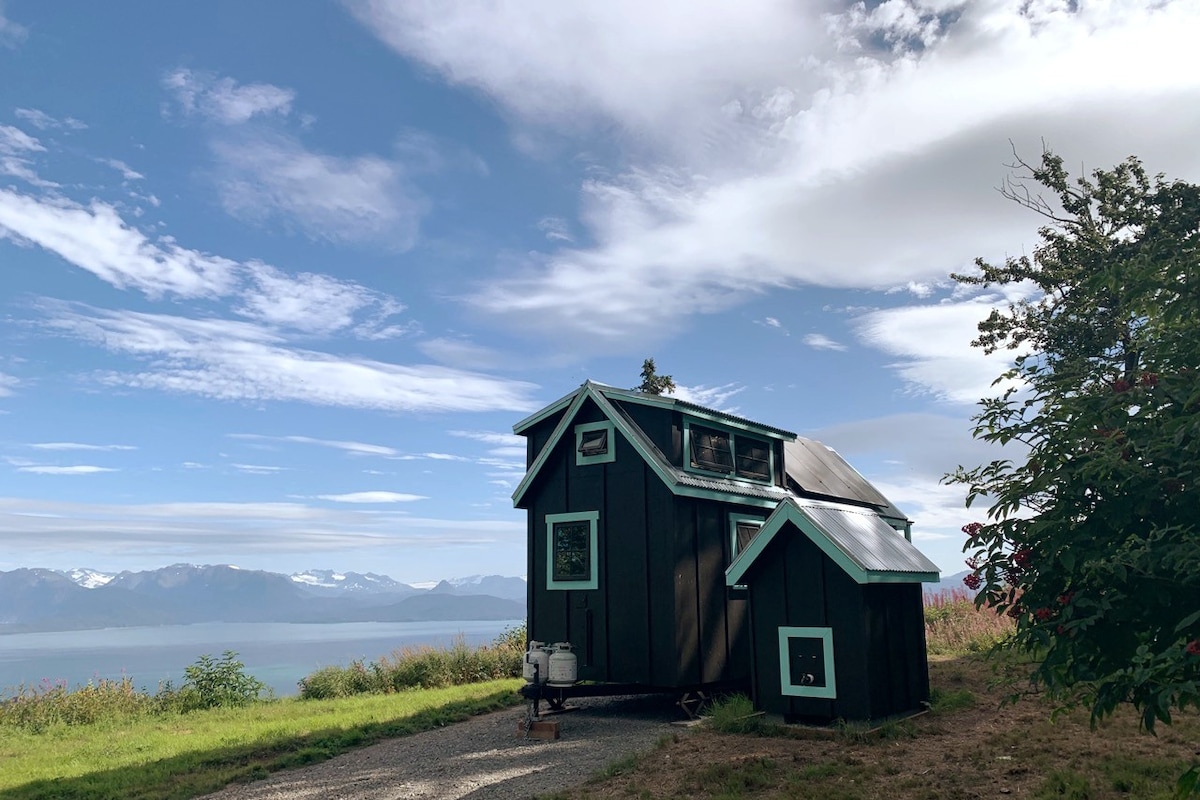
x,y
866,548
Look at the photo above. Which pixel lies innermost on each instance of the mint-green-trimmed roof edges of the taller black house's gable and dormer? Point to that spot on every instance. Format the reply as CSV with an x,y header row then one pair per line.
x,y
677,480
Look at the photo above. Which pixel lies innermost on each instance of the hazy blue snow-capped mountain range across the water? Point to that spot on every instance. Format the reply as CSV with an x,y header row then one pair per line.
x,y
50,600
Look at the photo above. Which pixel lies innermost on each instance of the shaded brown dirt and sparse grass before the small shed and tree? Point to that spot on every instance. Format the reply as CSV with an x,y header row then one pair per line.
x,y
979,750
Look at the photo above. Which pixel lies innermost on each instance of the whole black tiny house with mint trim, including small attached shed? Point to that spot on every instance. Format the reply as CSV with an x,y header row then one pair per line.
x,y
680,548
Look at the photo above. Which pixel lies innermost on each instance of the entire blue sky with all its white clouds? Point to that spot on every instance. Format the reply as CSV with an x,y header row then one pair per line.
x,y
280,278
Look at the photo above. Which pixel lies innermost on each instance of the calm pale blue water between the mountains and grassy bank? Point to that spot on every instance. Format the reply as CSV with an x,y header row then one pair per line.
x,y
279,654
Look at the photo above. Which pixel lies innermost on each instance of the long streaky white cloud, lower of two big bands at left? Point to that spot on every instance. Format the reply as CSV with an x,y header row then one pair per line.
x,y
242,362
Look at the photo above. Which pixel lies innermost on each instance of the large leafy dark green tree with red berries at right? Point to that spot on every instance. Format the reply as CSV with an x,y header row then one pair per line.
x,y
1093,543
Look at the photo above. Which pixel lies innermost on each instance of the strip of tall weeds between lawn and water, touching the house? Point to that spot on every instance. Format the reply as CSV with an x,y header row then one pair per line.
x,y
421,669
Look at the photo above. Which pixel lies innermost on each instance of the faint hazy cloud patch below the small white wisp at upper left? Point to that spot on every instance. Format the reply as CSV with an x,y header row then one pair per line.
x,y
344,200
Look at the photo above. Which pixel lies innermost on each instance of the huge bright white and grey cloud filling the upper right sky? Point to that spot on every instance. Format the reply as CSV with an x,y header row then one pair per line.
x,y
765,158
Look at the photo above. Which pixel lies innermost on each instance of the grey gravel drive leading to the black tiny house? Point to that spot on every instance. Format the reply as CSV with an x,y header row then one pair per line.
x,y
481,759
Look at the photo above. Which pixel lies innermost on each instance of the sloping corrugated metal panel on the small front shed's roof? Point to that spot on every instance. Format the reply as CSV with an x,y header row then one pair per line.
x,y
866,539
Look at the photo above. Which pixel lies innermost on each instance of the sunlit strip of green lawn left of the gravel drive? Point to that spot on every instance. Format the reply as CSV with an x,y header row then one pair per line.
x,y
182,756
